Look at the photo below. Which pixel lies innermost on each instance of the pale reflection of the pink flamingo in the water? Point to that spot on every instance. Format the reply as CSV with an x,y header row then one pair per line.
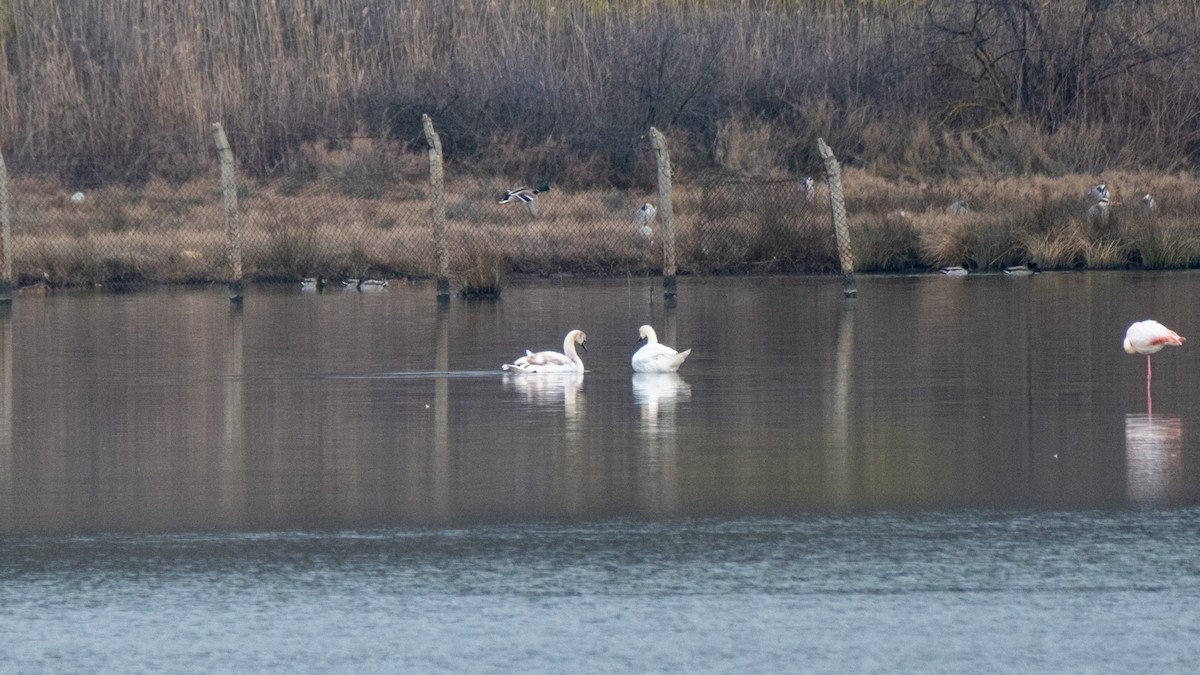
x,y
1154,458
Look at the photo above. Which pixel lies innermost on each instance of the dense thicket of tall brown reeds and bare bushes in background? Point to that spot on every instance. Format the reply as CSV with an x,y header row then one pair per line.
x,y
567,91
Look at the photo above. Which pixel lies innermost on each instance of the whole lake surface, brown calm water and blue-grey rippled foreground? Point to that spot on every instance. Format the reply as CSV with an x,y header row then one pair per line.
x,y
945,474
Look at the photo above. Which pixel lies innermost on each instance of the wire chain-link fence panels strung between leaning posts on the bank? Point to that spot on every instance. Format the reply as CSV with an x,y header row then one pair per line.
x,y
364,211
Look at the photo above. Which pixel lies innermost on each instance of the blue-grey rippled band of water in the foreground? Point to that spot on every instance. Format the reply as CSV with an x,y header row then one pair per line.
x,y
1094,592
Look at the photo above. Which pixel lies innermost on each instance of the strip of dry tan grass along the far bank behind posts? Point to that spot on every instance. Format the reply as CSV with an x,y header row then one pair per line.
x,y
173,232
